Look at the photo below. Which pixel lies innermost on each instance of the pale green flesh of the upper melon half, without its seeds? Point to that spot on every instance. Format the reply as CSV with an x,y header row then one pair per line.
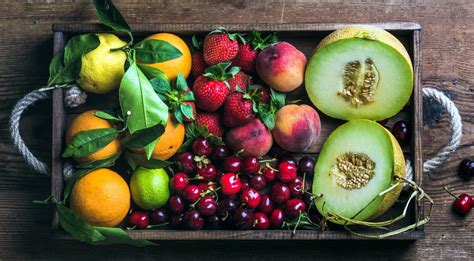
x,y
325,70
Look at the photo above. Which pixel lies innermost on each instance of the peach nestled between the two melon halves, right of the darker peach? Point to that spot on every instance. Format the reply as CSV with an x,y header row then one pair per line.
x,y
297,127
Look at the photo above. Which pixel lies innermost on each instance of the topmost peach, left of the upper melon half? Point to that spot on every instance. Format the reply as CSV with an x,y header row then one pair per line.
x,y
281,66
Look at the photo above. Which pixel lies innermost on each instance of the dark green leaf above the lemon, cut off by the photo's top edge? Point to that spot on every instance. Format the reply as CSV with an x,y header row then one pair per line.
x,y
109,15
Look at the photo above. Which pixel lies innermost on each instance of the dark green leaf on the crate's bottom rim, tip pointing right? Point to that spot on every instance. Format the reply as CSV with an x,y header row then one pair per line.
x,y
115,235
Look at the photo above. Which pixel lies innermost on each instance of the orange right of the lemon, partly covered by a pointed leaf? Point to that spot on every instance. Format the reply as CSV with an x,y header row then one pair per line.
x,y
172,67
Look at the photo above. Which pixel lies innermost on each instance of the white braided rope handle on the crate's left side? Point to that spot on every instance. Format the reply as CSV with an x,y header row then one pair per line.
x,y
14,127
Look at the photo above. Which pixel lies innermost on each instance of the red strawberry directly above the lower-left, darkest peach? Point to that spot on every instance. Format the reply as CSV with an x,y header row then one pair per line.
x,y
238,109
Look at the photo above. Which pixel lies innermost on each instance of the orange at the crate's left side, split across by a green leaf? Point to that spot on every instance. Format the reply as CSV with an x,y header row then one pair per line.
x,y
88,121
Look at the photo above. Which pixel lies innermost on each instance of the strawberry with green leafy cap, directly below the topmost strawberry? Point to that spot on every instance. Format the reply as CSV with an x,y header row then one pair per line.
x,y
210,89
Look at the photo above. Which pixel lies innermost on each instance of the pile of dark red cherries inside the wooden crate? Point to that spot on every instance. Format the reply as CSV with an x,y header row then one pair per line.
x,y
214,189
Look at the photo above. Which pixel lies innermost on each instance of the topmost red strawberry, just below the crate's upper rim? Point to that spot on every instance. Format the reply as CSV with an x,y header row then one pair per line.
x,y
220,46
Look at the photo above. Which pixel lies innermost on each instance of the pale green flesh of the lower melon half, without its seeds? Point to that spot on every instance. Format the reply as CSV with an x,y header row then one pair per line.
x,y
357,136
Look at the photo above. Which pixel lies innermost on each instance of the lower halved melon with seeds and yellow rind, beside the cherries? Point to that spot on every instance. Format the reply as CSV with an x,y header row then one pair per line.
x,y
357,162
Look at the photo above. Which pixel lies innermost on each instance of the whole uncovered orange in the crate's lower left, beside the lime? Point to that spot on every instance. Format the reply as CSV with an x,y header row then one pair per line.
x,y
101,197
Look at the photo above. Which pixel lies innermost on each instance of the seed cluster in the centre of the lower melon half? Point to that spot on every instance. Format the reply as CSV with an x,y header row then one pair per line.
x,y
353,170
